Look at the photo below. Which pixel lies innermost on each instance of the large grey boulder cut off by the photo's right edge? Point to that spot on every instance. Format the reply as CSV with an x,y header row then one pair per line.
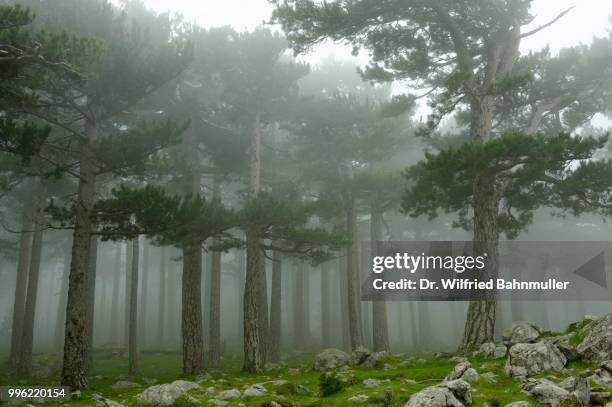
x,y
596,346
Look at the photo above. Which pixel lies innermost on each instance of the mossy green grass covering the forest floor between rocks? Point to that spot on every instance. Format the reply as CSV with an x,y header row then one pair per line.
x,y
297,383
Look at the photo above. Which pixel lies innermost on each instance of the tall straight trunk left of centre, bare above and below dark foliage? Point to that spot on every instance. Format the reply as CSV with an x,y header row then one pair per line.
x,y
253,354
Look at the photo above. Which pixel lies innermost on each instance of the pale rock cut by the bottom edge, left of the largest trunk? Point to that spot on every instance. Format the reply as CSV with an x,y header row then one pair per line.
x,y
455,393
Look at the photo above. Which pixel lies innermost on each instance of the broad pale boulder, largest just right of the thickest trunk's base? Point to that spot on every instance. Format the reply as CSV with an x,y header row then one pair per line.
x,y
526,359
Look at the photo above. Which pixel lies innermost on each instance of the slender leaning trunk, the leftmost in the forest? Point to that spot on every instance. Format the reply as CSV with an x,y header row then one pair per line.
x,y
21,284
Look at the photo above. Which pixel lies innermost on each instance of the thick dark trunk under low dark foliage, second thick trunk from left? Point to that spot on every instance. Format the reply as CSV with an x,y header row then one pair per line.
x,y
193,353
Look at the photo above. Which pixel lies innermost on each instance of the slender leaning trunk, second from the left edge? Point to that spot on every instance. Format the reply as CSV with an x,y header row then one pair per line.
x,y
24,366
